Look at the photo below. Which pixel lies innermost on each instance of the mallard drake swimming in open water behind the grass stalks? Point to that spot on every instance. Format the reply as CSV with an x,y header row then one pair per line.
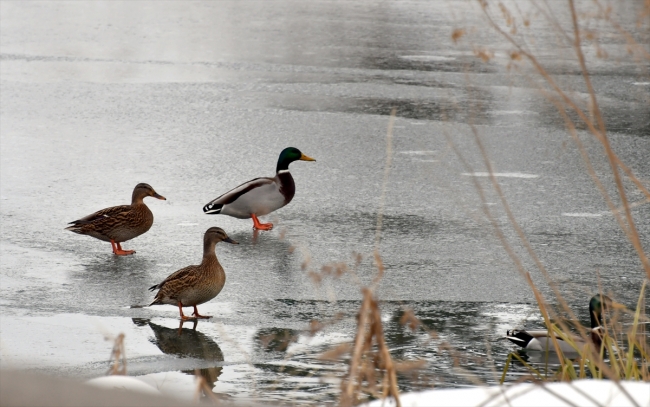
x,y
540,340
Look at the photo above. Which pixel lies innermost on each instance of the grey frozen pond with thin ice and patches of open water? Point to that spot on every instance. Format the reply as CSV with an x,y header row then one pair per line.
x,y
196,98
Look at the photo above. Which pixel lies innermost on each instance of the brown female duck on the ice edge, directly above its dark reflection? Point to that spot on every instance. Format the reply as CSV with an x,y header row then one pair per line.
x,y
194,285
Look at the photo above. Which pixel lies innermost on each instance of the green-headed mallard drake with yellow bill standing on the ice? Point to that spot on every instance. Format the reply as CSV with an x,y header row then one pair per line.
x,y
260,196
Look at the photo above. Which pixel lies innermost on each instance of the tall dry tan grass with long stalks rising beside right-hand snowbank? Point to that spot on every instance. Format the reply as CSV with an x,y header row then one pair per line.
x,y
633,363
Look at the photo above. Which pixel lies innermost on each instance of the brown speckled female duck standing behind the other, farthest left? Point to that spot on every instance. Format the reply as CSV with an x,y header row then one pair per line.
x,y
118,224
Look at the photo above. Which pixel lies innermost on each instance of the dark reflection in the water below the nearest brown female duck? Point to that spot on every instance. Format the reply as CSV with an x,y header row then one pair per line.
x,y
187,343
